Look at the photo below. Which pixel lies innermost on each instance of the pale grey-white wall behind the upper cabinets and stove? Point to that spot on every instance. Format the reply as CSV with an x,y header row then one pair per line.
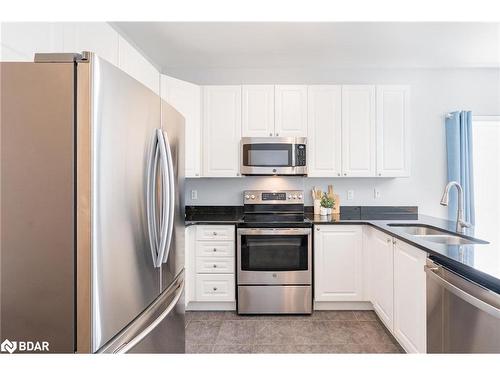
x,y
434,92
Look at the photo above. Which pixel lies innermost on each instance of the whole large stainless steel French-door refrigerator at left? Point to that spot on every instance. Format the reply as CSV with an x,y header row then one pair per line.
x,y
92,217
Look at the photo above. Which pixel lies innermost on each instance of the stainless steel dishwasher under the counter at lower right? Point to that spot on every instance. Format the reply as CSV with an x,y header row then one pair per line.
x,y
462,316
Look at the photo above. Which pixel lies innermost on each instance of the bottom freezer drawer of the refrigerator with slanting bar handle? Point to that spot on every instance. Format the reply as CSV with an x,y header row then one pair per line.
x,y
160,329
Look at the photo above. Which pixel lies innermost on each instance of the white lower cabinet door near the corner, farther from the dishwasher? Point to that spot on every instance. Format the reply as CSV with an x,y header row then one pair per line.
x,y
381,275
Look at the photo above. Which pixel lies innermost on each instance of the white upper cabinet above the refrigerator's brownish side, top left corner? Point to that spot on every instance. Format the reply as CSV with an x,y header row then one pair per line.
x,y
21,40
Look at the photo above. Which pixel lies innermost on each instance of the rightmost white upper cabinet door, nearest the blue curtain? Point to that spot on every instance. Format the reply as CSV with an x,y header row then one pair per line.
x,y
392,131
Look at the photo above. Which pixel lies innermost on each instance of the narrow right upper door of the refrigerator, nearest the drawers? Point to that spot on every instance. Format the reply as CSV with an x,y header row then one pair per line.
x,y
173,130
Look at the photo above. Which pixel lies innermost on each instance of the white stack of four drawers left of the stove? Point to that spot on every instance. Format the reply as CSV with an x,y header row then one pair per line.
x,y
213,260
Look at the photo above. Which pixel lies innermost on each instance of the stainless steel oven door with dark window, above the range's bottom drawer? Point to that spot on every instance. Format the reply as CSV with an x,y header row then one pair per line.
x,y
274,256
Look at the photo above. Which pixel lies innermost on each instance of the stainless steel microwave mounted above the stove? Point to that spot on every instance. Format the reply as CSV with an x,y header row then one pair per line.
x,y
274,156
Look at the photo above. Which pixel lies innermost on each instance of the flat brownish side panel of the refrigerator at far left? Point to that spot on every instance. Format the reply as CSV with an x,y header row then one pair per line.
x,y
37,204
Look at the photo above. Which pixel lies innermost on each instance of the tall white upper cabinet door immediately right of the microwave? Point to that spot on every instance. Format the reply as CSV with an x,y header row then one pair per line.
x,y
324,131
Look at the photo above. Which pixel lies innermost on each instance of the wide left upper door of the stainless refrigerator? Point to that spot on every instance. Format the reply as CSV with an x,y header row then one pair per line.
x,y
124,115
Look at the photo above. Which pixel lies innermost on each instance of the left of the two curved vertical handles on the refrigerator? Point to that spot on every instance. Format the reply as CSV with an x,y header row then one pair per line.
x,y
151,199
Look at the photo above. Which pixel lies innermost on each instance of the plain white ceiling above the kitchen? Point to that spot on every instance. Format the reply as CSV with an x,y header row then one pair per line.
x,y
313,45
